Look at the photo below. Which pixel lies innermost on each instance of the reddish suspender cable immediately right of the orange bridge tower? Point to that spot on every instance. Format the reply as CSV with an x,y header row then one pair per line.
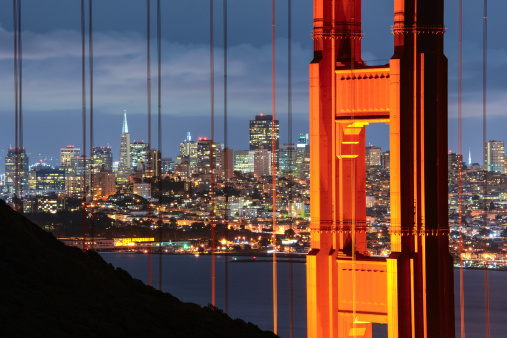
x,y
460,169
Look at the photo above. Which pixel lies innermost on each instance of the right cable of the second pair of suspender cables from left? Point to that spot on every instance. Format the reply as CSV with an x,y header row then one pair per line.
x,y
91,163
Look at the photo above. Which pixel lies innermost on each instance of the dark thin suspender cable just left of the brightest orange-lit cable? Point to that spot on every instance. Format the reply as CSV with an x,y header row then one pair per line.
x,y
226,150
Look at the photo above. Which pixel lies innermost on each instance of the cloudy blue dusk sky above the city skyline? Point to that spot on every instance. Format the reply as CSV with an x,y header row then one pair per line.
x,y
52,71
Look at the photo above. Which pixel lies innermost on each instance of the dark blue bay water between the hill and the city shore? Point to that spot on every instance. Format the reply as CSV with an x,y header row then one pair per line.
x,y
250,290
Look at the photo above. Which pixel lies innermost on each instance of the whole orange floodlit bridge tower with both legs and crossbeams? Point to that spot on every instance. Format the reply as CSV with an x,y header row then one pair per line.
x,y
411,290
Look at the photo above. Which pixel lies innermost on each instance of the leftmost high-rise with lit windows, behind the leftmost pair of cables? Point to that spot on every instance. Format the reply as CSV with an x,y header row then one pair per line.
x,y
16,157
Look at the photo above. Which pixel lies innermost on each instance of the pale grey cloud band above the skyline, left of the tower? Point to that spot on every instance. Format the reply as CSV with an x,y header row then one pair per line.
x,y
52,73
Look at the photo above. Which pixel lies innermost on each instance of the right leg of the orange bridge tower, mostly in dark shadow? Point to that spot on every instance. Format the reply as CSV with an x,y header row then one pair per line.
x,y
421,265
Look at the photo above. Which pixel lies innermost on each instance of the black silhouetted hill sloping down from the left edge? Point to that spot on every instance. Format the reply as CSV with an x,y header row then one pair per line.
x,y
48,289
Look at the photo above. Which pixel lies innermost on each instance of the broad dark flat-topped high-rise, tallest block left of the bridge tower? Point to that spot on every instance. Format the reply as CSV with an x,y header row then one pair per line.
x,y
261,132
